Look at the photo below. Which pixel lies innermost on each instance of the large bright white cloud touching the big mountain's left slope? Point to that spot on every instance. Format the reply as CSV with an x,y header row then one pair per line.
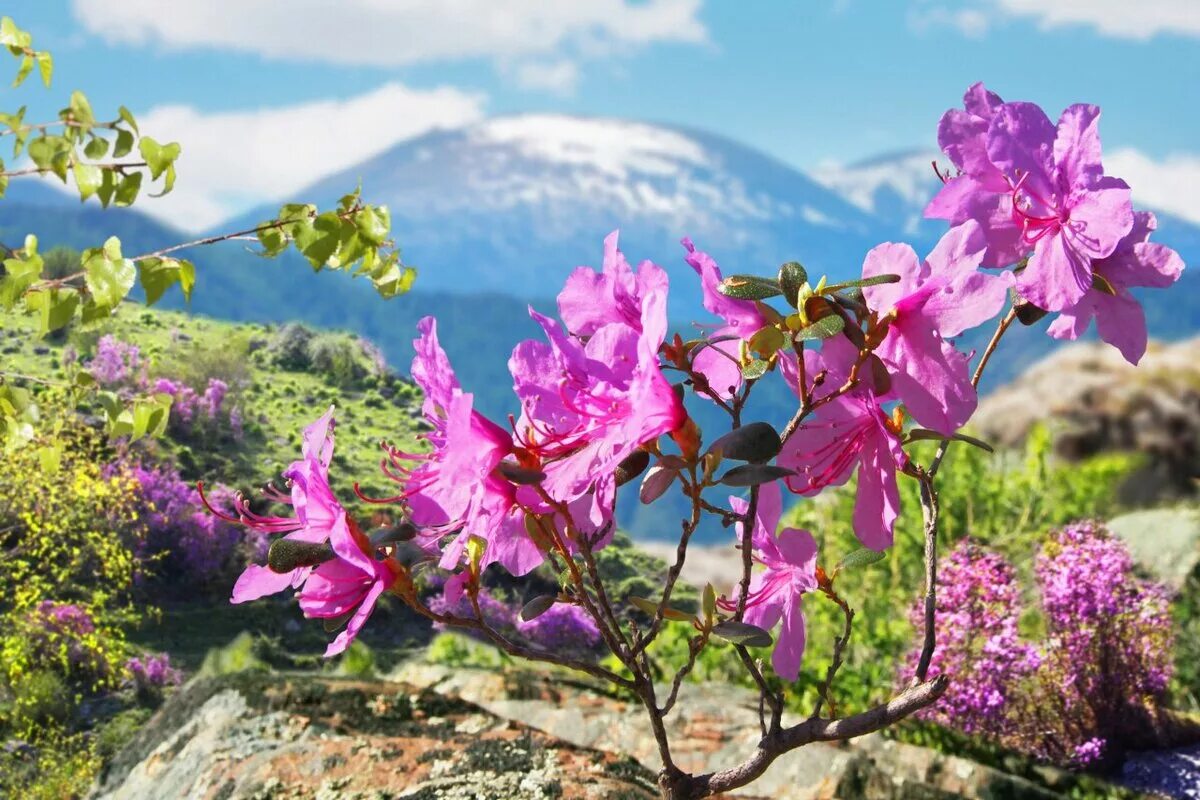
x,y
236,160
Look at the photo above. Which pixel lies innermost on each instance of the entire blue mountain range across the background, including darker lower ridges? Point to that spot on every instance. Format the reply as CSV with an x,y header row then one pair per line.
x,y
496,215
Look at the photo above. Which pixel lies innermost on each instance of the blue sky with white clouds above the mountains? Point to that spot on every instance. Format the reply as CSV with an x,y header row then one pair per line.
x,y
830,81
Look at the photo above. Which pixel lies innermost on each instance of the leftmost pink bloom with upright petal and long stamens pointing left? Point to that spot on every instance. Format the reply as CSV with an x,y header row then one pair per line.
x,y
317,513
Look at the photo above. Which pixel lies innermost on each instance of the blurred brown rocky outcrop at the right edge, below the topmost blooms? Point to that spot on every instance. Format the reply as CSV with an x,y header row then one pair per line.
x,y
1094,402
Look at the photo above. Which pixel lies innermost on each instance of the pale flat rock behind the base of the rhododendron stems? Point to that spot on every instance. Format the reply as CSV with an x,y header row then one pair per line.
x,y
717,726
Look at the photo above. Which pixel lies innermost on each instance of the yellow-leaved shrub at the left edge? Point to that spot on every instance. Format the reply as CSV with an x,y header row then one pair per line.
x,y
68,569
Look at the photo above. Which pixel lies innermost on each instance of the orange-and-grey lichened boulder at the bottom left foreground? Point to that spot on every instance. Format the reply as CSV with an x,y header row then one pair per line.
x,y
261,737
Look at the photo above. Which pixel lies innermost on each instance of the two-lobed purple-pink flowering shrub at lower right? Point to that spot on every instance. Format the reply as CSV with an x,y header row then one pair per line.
x,y
1083,694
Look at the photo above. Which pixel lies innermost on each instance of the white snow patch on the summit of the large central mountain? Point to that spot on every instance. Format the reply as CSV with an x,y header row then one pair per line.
x,y
614,148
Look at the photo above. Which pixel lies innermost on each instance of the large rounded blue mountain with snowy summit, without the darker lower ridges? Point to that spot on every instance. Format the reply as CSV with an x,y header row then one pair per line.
x,y
513,203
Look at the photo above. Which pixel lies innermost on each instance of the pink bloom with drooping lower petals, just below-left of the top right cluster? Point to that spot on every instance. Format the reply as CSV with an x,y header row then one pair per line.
x,y
934,300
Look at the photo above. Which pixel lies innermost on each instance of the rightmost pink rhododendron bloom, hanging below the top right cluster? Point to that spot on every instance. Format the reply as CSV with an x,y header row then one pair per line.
x,y
1119,317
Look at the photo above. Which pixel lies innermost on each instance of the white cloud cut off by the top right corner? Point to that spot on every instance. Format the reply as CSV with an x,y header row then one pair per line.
x,y
1142,20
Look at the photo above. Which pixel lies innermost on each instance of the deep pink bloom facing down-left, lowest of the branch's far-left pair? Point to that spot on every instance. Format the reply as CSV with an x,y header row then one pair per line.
x,y
351,584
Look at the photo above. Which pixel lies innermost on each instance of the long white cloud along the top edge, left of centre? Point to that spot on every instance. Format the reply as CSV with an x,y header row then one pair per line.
x,y
394,33
